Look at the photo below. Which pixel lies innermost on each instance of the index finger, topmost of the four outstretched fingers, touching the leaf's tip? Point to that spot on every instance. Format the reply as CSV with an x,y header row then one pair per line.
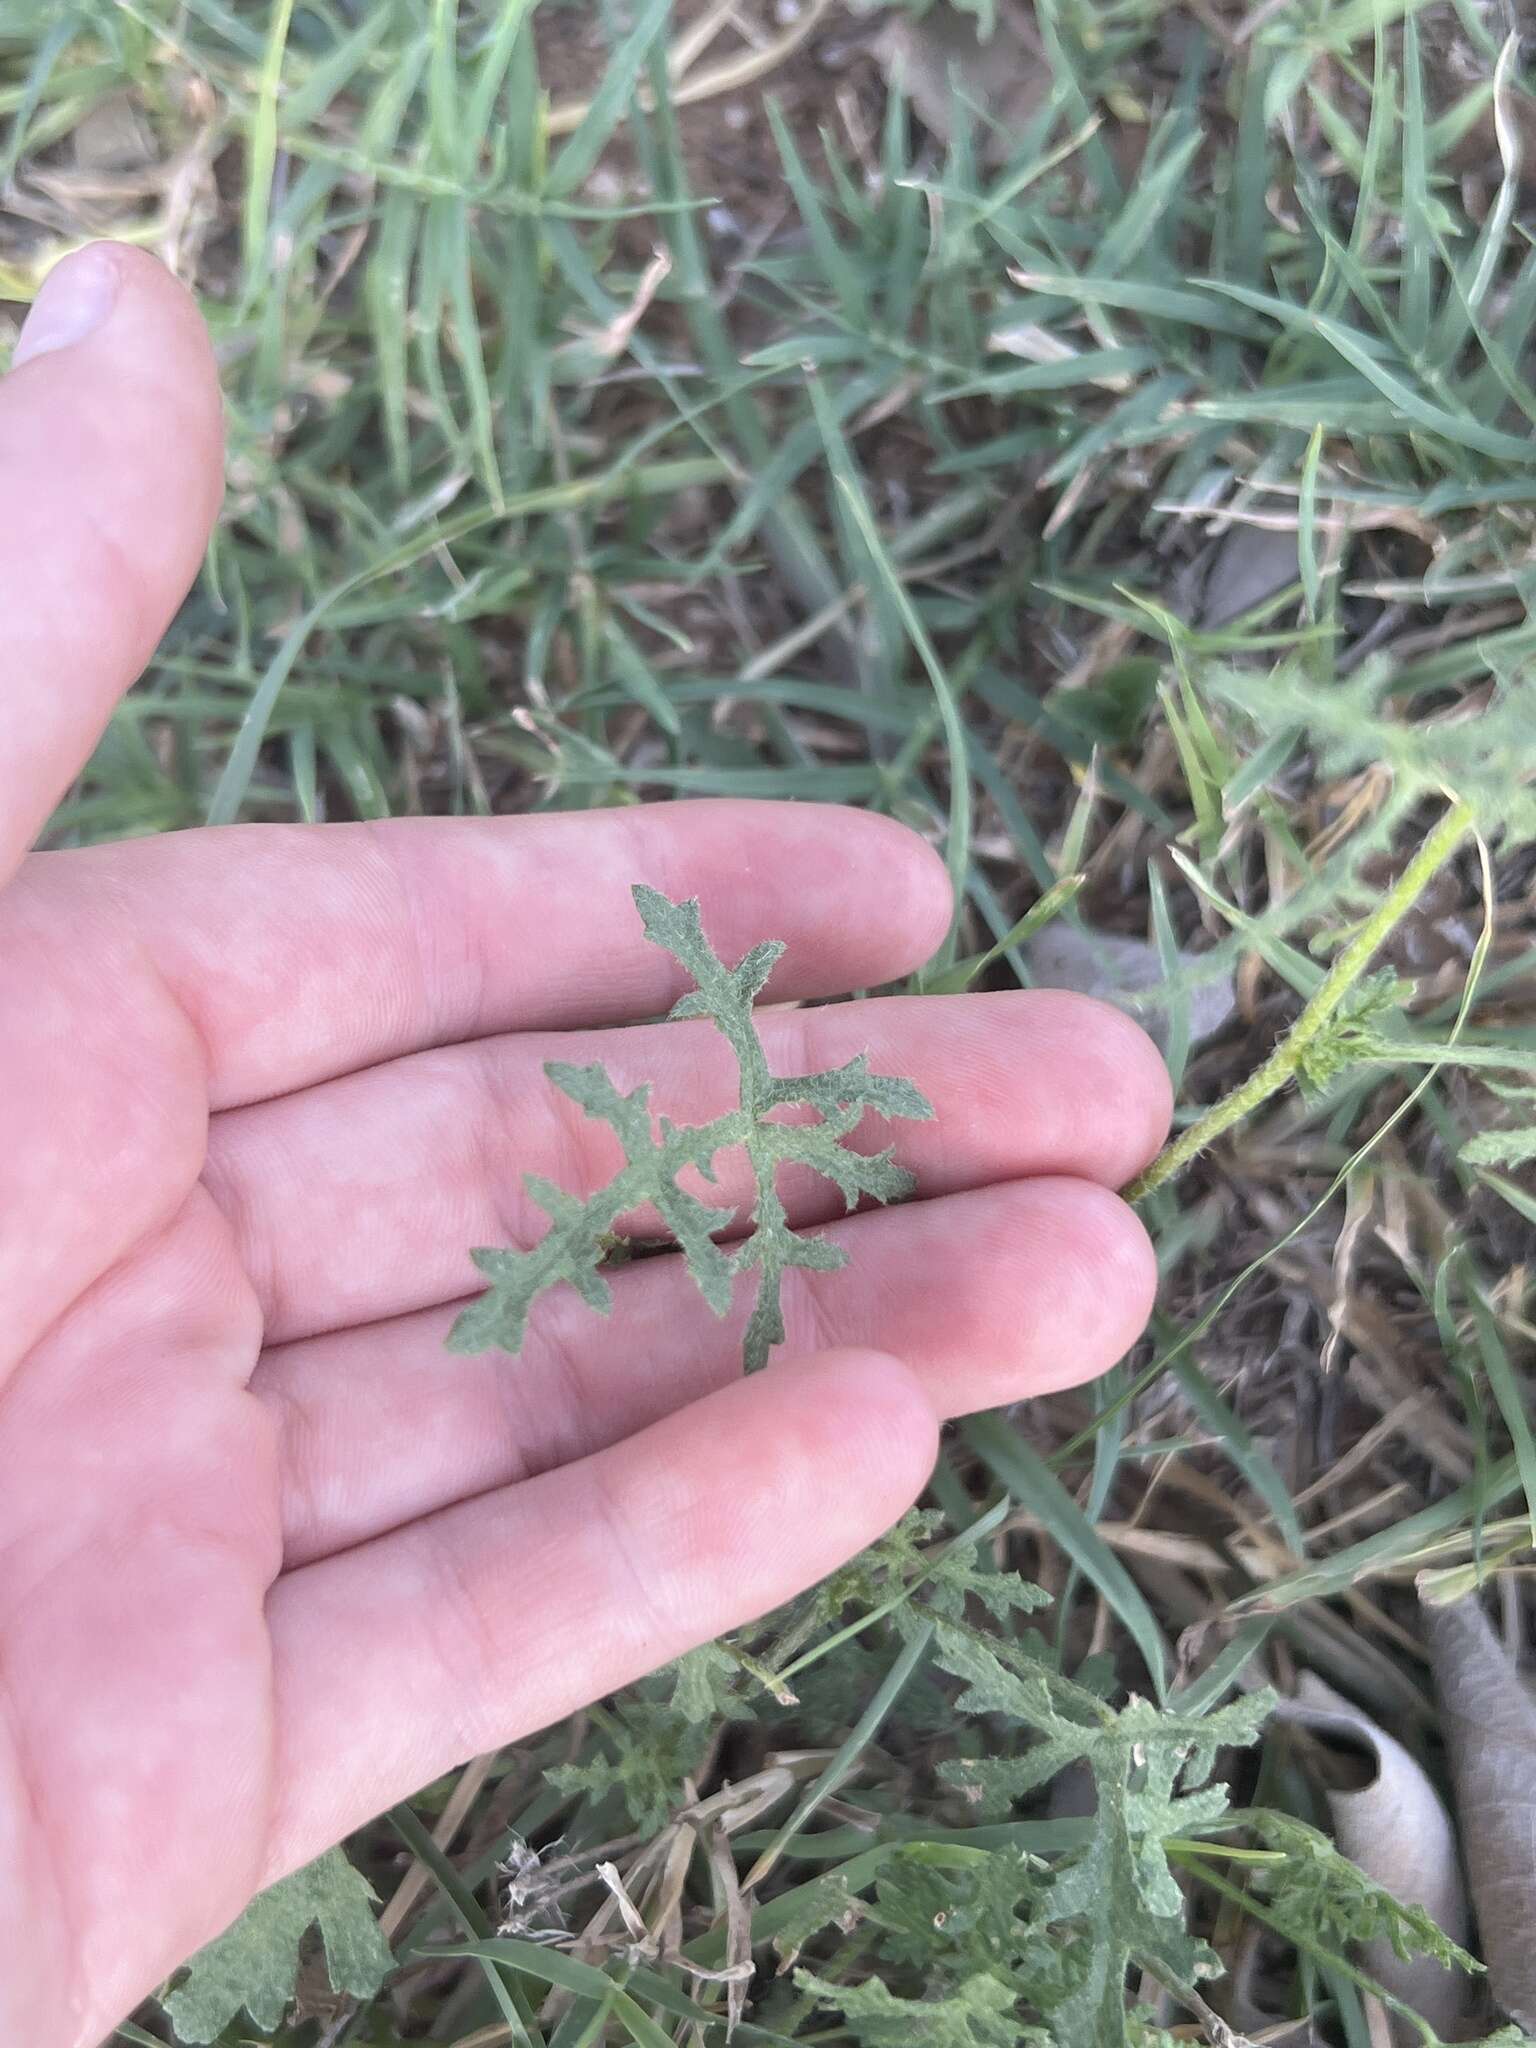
x,y
308,951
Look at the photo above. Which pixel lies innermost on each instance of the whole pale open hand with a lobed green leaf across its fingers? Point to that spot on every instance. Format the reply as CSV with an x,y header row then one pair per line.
x,y
269,1560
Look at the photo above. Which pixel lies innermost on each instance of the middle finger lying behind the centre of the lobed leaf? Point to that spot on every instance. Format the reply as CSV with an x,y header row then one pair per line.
x,y
359,1199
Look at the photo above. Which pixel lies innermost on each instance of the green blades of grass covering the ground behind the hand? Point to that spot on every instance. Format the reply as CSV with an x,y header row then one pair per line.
x,y
892,507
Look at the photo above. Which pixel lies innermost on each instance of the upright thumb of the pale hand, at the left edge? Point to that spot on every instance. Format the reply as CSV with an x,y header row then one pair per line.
x,y
112,458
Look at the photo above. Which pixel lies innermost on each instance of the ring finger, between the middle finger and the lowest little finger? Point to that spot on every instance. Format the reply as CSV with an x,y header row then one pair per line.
x,y
986,1297
